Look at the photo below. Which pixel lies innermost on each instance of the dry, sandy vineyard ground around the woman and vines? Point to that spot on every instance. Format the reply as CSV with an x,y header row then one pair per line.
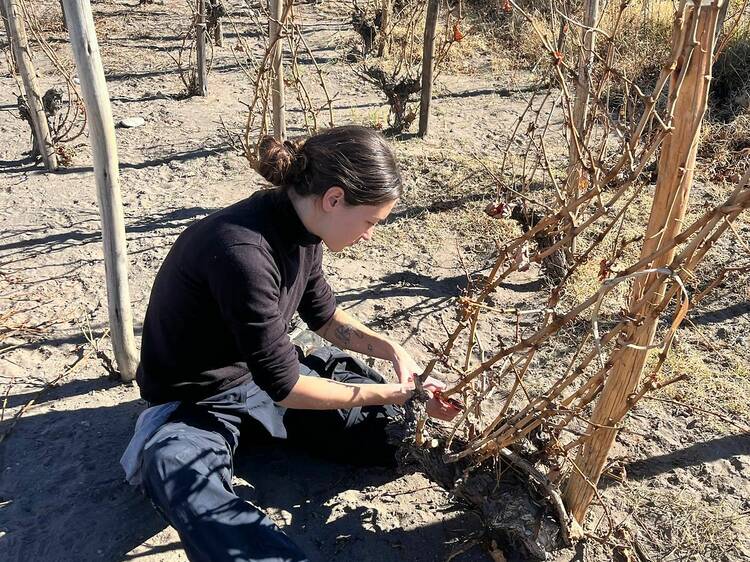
x,y
62,495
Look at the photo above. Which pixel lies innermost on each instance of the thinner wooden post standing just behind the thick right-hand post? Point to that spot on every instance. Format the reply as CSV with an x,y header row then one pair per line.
x,y
581,104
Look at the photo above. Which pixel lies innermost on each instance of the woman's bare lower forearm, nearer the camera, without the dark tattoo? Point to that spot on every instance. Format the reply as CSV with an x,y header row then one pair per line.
x,y
314,393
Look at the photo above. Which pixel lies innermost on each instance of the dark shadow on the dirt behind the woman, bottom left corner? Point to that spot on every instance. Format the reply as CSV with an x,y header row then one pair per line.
x,y
62,491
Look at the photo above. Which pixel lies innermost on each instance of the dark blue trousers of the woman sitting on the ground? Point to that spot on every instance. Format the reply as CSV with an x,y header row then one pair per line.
x,y
187,464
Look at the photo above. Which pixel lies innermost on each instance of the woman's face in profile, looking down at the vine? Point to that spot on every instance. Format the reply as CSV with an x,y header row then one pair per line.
x,y
344,225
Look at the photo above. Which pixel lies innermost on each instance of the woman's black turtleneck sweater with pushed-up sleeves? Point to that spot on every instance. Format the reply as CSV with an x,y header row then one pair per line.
x,y
222,301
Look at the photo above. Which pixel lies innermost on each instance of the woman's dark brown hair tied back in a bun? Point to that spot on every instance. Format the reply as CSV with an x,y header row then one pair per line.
x,y
354,158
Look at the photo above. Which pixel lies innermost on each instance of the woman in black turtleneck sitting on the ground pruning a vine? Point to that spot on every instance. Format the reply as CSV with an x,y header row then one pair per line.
x,y
216,355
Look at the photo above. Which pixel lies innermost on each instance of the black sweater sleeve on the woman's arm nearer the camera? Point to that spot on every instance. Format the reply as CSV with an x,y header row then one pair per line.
x,y
245,283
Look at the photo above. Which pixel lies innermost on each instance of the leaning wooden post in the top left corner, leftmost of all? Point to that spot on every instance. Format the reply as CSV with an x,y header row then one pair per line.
x,y
20,47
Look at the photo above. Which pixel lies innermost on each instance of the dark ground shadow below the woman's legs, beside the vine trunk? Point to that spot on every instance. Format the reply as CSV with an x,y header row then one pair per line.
x,y
302,485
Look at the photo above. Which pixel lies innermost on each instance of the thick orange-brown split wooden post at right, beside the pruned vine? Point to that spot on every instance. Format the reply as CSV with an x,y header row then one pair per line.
x,y
676,164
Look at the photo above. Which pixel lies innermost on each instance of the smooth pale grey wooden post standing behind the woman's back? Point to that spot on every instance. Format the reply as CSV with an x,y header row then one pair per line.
x,y
106,172
